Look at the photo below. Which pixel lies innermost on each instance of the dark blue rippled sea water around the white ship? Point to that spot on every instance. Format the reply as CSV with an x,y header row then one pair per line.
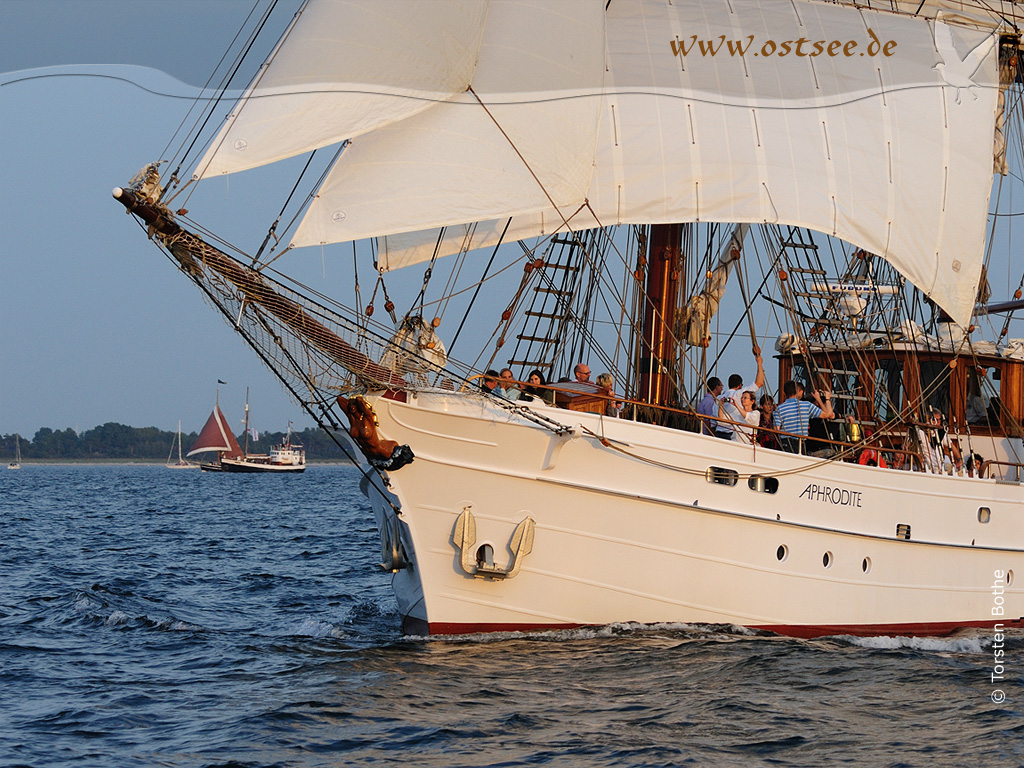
x,y
166,618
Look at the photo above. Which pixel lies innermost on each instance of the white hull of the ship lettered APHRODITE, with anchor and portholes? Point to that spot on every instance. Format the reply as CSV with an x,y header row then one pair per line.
x,y
652,540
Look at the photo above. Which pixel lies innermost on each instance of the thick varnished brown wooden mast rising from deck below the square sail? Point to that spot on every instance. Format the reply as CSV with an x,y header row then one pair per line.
x,y
658,346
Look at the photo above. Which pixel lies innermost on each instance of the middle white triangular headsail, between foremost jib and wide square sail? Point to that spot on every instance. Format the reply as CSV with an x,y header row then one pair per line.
x,y
523,141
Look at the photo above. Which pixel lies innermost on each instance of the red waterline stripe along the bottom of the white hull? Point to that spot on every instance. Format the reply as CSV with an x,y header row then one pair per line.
x,y
931,629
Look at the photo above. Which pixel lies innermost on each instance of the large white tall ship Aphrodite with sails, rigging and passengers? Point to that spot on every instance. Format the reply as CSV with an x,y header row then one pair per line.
x,y
816,196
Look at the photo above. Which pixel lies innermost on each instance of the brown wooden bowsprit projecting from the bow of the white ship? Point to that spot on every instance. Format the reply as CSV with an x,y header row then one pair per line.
x,y
189,248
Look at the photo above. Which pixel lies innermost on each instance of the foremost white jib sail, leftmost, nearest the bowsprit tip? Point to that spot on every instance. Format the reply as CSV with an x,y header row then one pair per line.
x,y
346,68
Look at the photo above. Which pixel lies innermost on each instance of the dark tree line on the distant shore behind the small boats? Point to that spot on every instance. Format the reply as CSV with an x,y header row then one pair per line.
x,y
114,441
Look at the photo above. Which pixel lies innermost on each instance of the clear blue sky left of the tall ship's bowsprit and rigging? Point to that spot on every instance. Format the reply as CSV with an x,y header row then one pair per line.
x,y
98,326
